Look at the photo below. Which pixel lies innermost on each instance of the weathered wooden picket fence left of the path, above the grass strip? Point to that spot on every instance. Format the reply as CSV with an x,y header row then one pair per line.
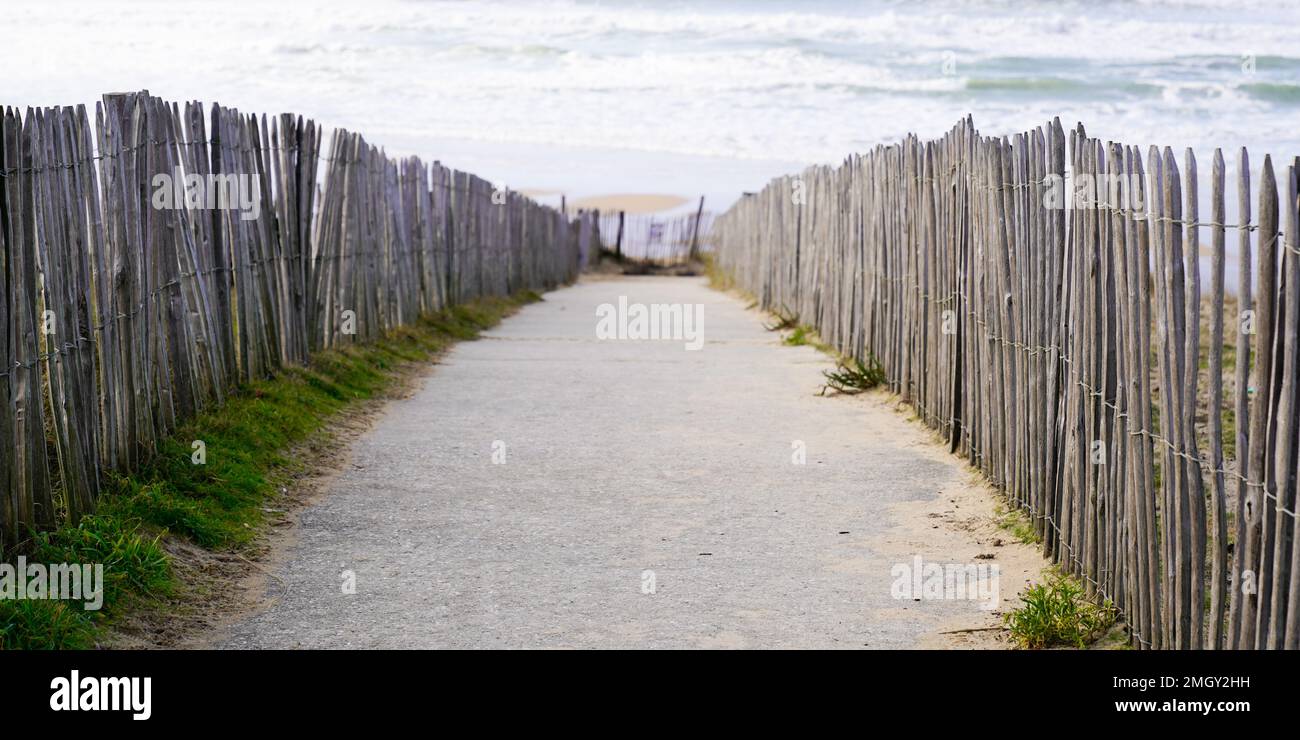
x,y
133,301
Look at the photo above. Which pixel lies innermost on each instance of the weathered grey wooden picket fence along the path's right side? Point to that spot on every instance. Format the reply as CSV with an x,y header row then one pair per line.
x,y
1074,356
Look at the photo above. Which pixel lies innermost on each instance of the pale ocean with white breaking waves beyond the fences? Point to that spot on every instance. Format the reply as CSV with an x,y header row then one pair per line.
x,y
710,98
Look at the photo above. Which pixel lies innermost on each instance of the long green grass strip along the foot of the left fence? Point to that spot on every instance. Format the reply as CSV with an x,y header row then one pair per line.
x,y
219,505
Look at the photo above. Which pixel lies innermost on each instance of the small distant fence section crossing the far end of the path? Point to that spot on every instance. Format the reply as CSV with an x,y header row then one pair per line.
x,y
653,239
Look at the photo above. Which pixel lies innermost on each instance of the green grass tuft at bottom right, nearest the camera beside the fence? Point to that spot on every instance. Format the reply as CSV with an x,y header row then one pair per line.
x,y
1059,614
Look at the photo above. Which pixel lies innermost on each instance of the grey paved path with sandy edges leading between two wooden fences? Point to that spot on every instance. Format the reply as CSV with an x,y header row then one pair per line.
x,y
544,488
